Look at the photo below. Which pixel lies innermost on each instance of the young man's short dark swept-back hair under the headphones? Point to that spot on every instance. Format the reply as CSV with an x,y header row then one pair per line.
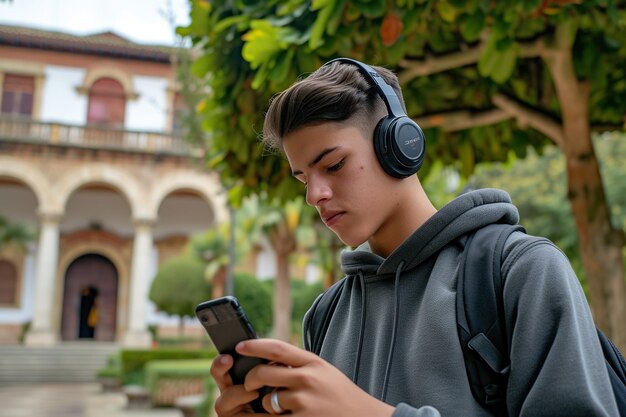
x,y
333,93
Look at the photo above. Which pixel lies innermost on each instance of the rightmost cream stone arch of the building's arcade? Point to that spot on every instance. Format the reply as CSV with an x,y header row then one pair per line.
x,y
207,186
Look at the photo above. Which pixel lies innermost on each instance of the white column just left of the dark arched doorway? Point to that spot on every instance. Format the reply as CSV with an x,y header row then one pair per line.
x,y
41,332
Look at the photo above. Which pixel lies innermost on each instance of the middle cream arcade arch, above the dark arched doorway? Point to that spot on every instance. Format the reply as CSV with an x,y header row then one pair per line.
x,y
119,179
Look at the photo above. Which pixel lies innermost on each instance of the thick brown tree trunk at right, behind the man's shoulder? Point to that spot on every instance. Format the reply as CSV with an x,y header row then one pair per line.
x,y
600,244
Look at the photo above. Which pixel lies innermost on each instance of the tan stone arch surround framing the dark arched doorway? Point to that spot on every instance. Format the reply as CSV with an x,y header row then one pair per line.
x,y
112,253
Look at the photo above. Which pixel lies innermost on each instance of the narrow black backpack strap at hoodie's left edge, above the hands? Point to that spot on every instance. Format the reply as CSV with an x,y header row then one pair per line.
x,y
320,315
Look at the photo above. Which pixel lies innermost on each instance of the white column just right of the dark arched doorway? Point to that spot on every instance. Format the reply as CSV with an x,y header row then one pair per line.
x,y
137,334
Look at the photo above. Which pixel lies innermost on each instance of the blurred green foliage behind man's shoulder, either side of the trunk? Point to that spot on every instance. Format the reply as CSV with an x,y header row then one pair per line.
x,y
538,188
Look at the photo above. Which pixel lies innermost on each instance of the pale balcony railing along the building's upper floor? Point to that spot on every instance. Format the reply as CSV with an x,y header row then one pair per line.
x,y
92,137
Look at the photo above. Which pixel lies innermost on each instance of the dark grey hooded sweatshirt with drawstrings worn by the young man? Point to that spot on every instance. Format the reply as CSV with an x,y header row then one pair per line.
x,y
557,368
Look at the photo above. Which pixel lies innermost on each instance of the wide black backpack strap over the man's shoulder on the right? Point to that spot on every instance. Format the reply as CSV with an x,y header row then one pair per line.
x,y
480,315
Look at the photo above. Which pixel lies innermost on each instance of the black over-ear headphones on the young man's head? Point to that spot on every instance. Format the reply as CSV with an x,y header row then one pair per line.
x,y
398,141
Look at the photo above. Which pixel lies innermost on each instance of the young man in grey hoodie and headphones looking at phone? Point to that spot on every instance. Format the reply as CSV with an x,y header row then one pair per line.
x,y
392,348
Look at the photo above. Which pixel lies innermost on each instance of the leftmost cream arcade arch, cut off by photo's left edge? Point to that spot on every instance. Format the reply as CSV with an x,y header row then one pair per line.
x,y
33,178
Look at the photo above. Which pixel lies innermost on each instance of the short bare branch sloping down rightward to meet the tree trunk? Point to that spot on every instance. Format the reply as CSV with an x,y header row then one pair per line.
x,y
529,117
